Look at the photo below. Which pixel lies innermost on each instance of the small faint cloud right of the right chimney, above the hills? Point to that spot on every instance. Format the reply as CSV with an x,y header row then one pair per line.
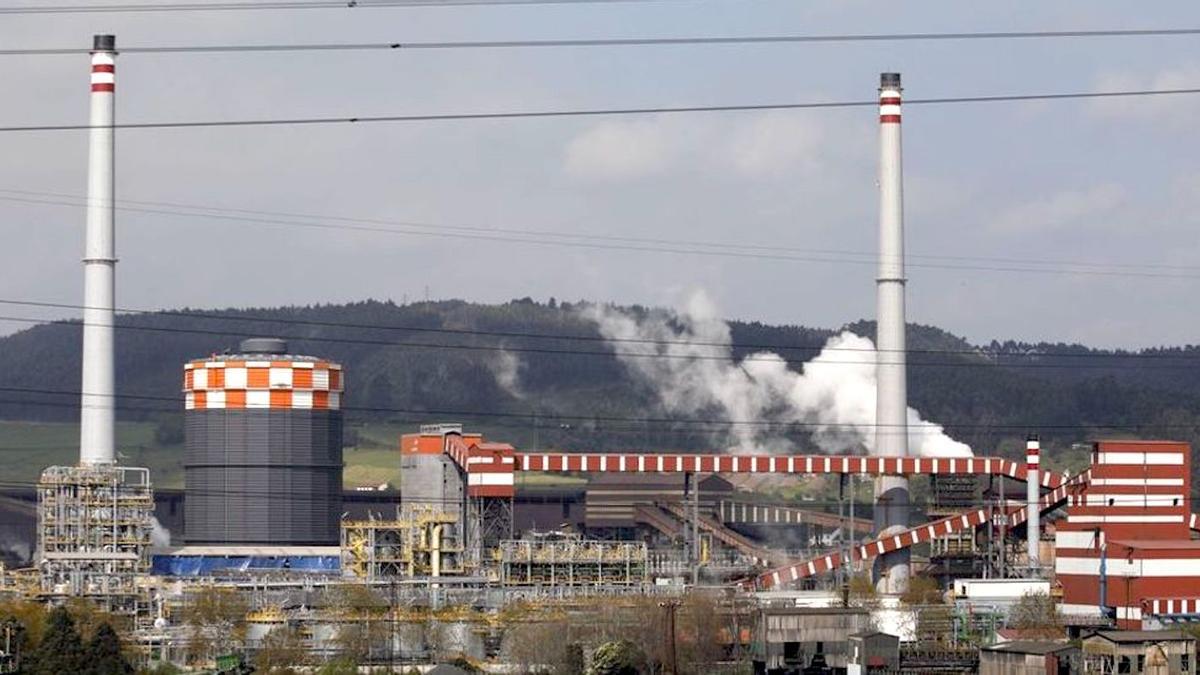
x,y
1093,207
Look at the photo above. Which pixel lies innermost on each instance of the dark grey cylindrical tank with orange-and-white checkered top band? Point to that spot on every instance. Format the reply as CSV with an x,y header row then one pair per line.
x,y
263,459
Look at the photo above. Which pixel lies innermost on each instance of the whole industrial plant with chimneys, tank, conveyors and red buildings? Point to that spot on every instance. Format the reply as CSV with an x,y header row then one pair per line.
x,y
476,548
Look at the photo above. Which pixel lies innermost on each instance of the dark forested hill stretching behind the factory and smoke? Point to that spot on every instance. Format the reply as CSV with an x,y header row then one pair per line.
x,y
447,361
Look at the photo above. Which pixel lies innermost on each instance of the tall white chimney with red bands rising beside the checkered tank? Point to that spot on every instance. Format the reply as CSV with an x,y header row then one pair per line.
x,y
97,433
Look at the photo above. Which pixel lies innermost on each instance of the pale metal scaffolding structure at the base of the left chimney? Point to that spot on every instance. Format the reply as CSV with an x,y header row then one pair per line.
x,y
94,527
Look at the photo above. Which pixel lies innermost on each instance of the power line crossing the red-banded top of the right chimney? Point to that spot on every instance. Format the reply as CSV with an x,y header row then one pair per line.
x,y
603,112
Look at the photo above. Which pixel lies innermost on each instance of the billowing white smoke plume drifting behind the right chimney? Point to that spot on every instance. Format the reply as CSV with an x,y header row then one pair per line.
x,y
687,357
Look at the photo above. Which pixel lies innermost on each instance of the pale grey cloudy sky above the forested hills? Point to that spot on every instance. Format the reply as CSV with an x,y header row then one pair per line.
x,y
993,190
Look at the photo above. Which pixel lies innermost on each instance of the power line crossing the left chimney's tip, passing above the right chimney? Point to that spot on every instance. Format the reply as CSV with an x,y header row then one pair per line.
x,y
398,46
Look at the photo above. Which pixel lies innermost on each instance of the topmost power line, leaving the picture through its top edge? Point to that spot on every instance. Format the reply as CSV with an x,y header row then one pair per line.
x,y
160,8
